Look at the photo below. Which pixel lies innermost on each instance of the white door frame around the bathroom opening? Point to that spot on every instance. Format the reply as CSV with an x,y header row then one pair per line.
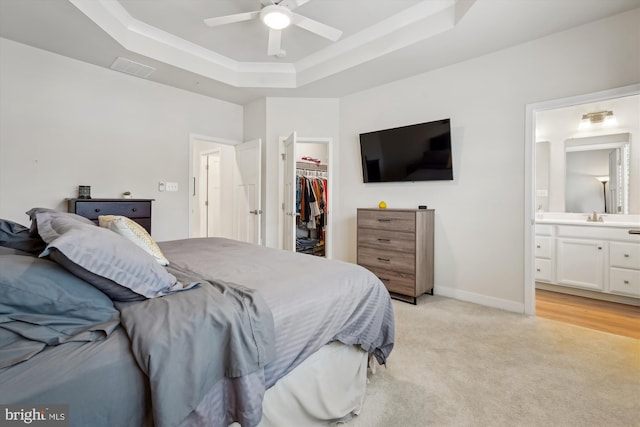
x,y
530,176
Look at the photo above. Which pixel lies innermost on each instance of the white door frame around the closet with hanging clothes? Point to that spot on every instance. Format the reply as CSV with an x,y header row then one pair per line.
x,y
330,179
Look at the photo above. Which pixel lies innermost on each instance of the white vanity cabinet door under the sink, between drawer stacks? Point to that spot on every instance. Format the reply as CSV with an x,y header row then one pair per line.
x,y
580,262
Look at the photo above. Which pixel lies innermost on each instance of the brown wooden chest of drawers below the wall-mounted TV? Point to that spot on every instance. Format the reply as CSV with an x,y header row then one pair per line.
x,y
397,246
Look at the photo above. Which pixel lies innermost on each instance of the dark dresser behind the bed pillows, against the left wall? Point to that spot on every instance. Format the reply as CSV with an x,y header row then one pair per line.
x,y
138,210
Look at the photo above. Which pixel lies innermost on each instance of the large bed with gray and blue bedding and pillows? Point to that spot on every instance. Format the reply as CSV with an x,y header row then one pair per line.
x,y
237,333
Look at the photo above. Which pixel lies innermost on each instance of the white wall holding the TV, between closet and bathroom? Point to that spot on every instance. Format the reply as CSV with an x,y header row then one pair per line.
x,y
479,231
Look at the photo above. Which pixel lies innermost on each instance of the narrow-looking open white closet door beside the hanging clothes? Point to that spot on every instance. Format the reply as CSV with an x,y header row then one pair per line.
x,y
289,196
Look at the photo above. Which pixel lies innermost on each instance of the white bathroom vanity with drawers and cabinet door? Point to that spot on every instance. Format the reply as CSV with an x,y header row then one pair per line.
x,y
602,257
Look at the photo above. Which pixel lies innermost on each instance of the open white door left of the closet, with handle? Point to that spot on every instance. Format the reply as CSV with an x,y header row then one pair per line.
x,y
247,191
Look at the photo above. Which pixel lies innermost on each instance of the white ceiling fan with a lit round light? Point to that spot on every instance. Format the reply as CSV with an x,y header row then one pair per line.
x,y
278,15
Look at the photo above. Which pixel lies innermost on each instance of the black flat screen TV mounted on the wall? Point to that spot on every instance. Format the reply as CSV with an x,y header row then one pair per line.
x,y
420,152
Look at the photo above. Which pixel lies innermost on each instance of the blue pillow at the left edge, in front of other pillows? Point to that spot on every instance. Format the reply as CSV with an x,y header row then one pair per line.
x,y
44,304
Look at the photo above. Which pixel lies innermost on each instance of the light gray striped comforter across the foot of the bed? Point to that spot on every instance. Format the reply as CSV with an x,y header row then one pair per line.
x,y
313,301
